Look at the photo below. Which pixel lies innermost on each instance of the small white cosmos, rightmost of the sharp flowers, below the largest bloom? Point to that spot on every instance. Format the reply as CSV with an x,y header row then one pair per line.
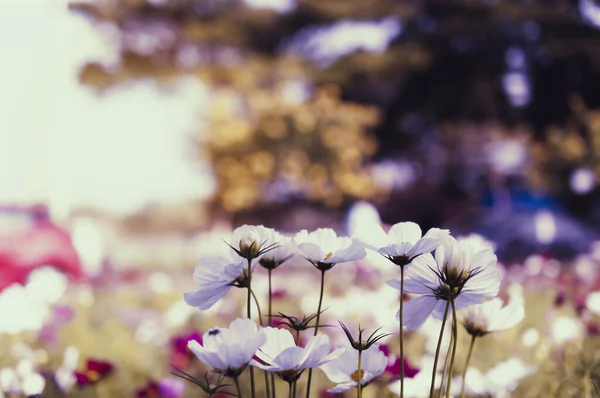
x,y
490,316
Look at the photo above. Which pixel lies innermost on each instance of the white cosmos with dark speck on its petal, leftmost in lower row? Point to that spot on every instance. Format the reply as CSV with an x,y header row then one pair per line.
x,y
229,350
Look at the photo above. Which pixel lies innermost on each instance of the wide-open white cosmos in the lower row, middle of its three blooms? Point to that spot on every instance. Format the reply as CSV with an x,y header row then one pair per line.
x,y
281,355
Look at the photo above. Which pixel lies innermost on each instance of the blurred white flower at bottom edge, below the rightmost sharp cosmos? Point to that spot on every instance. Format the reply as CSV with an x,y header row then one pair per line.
x,y
500,380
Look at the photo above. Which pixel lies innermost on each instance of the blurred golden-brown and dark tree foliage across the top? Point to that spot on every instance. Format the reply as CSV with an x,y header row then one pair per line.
x,y
426,66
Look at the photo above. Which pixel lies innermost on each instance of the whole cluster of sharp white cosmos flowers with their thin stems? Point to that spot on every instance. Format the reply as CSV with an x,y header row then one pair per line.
x,y
446,278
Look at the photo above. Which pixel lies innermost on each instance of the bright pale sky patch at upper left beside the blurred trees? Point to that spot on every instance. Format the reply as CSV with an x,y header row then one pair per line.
x,y
62,143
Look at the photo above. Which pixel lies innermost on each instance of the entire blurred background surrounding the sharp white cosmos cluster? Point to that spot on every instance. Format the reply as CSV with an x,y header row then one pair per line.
x,y
136,134
